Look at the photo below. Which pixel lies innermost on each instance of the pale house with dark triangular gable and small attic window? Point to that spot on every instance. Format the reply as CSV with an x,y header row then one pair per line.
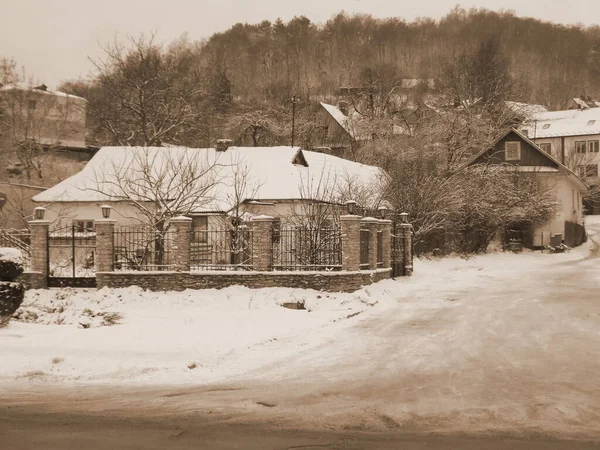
x,y
516,149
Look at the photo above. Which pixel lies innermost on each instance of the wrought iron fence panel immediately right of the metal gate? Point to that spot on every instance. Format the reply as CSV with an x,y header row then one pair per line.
x,y
144,249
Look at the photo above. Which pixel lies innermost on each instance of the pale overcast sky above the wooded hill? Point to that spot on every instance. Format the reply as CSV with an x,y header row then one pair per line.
x,y
53,39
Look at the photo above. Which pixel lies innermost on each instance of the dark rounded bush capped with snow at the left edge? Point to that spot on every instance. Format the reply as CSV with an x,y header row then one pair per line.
x,y
11,292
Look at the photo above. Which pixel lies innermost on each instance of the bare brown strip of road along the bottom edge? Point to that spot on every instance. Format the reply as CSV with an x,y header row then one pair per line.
x,y
22,428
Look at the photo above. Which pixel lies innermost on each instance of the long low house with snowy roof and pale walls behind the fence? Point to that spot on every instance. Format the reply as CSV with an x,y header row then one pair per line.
x,y
279,181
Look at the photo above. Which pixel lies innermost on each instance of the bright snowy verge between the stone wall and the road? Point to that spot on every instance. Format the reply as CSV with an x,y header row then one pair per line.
x,y
133,336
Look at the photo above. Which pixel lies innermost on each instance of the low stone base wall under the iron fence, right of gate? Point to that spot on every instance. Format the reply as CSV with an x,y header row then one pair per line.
x,y
178,281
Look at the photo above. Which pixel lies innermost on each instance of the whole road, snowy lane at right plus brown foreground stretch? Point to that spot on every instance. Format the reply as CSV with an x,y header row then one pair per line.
x,y
510,361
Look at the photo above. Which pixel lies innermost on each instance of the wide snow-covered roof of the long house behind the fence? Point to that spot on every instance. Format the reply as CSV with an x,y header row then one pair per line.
x,y
274,173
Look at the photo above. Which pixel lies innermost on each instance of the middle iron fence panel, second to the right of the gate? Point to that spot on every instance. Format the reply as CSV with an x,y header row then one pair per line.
x,y
221,249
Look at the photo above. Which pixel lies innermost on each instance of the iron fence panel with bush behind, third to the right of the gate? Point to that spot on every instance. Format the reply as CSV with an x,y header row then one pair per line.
x,y
303,248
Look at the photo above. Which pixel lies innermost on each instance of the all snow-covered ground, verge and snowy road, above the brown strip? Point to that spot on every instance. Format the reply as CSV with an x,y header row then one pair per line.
x,y
501,338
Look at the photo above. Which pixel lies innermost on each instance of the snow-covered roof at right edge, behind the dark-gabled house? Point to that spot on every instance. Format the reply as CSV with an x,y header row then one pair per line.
x,y
570,122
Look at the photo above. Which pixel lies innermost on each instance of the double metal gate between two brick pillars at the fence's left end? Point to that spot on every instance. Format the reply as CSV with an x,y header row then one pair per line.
x,y
71,257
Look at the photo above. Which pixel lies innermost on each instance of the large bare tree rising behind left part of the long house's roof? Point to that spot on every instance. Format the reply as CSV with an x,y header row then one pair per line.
x,y
145,94
